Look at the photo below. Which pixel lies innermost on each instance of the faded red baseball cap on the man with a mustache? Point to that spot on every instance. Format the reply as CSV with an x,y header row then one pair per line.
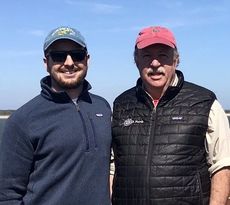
x,y
153,35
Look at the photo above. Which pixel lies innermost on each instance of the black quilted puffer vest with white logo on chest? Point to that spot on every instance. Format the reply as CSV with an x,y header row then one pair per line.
x,y
160,157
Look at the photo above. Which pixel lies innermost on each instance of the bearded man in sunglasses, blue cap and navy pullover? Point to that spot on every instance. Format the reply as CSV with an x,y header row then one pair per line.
x,y
55,149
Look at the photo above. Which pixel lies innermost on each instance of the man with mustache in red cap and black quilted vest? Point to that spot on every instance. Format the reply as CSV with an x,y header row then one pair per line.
x,y
171,138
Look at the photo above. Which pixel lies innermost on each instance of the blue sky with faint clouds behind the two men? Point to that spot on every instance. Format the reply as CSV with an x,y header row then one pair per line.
x,y
201,28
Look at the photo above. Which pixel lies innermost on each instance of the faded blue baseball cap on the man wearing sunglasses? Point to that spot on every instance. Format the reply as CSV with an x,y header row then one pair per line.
x,y
64,32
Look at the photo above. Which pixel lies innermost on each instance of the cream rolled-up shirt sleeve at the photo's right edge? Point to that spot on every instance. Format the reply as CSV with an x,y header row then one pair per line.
x,y
217,139
